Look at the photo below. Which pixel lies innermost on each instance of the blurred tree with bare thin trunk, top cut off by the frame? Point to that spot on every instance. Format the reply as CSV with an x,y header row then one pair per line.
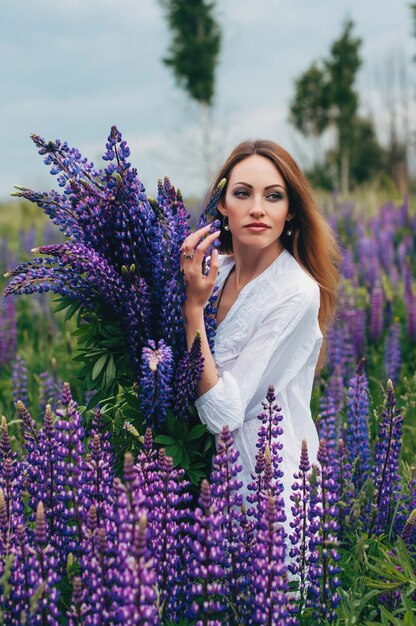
x,y
193,55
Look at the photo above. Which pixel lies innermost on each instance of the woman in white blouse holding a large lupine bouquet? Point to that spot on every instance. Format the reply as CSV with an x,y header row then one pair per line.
x,y
276,280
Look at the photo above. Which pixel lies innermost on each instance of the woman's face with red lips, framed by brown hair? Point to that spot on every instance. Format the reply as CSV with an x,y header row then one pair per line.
x,y
256,204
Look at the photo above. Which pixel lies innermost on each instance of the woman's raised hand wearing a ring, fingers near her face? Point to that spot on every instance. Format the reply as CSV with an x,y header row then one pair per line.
x,y
198,287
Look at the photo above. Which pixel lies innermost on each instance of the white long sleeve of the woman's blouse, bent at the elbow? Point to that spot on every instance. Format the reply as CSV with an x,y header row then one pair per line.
x,y
279,346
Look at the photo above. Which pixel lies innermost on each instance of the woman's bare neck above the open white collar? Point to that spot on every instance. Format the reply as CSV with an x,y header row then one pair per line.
x,y
250,263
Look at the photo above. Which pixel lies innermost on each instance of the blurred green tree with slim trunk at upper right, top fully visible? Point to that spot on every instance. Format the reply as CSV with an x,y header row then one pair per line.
x,y
326,97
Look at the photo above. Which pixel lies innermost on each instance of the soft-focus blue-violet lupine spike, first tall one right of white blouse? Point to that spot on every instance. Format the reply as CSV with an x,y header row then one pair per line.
x,y
357,437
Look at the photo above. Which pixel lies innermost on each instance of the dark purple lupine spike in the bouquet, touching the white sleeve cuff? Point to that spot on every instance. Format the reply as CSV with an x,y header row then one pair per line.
x,y
187,376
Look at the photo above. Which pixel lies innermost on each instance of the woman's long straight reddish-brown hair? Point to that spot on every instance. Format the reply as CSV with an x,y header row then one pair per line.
x,y
312,243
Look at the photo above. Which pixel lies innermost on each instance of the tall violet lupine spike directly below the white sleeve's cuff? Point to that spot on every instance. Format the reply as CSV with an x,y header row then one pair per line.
x,y
228,501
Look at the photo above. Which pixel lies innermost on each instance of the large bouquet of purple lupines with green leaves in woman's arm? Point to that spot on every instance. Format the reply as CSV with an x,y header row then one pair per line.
x,y
119,272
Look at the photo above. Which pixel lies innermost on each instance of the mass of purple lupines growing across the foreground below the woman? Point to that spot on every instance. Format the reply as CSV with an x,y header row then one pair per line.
x,y
79,545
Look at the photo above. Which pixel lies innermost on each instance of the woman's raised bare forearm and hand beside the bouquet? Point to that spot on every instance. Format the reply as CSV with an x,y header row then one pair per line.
x,y
198,291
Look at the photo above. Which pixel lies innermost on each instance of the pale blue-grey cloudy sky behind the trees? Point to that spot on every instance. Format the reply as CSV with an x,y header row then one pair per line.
x,y
71,69
